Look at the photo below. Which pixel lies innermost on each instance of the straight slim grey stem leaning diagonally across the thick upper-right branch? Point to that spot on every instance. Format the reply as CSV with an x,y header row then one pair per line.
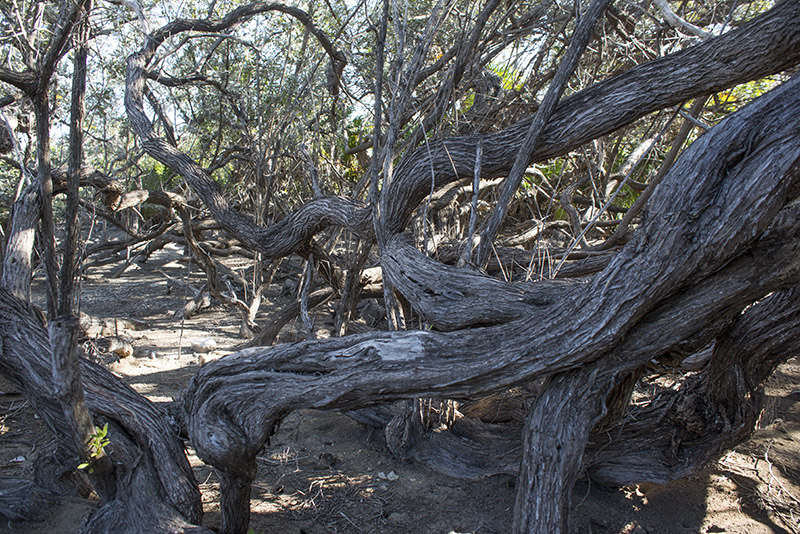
x,y
580,39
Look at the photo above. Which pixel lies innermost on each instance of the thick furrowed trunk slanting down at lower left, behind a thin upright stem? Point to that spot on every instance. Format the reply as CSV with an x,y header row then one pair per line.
x,y
151,466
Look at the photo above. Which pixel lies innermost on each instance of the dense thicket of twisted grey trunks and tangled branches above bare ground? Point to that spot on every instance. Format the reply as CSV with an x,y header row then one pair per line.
x,y
401,136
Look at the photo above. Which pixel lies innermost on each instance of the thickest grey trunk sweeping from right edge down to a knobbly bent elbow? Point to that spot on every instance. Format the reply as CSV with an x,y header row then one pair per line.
x,y
705,213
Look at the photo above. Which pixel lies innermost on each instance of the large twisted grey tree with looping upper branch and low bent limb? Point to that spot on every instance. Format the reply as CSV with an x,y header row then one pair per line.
x,y
714,204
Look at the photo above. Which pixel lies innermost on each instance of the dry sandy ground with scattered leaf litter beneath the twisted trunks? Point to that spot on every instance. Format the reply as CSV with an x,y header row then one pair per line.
x,y
324,473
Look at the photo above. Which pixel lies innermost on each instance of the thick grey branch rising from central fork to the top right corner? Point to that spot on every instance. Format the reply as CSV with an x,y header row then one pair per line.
x,y
768,44
